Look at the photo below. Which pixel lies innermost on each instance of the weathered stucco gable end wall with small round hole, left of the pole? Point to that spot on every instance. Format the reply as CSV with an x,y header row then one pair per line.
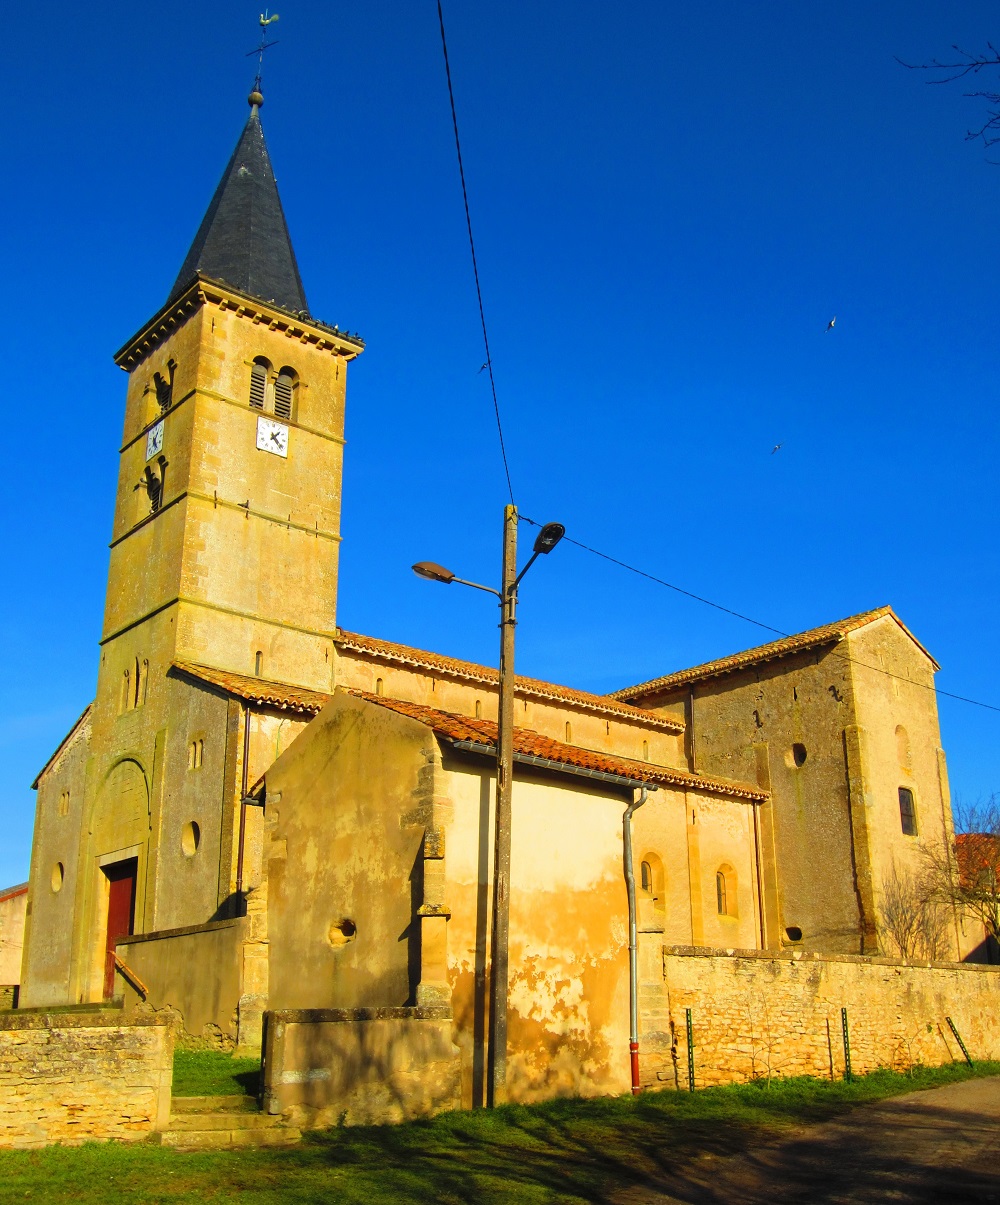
x,y
348,806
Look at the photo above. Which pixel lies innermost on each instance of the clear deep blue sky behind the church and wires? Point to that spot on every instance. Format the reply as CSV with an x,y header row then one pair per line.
x,y
670,202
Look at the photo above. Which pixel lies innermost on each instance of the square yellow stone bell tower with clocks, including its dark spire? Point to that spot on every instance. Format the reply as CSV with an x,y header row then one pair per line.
x,y
227,521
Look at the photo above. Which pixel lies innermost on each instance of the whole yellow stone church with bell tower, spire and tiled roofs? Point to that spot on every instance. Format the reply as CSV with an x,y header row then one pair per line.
x,y
264,816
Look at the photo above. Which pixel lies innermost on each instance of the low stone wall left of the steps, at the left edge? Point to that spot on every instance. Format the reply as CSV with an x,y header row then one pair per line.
x,y
75,1078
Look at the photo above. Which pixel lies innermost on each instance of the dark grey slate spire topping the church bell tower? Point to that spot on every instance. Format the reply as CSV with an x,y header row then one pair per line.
x,y
244,240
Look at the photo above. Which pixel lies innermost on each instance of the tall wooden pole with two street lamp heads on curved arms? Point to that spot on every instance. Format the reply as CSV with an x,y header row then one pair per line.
x,y
550,536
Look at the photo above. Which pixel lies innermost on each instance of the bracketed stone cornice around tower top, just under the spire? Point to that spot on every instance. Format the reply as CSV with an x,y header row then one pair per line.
x,y
208,292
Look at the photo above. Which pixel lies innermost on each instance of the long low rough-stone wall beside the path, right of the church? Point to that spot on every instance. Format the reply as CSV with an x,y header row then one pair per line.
x,y
757,1014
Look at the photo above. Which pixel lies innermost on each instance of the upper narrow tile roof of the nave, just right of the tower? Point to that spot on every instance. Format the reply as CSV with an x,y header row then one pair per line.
x,y
532,689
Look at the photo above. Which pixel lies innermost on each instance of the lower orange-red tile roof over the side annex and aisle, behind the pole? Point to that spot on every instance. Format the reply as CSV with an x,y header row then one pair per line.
x,y
530,744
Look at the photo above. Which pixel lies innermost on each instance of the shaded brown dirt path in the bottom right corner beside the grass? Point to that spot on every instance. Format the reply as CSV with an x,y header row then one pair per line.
x,y
942,1145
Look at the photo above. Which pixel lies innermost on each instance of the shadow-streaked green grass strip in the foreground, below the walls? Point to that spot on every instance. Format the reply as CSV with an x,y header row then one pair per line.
x,y
566,1151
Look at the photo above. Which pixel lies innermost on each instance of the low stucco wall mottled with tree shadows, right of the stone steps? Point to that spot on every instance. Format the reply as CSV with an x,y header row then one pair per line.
x,y
361,1067
